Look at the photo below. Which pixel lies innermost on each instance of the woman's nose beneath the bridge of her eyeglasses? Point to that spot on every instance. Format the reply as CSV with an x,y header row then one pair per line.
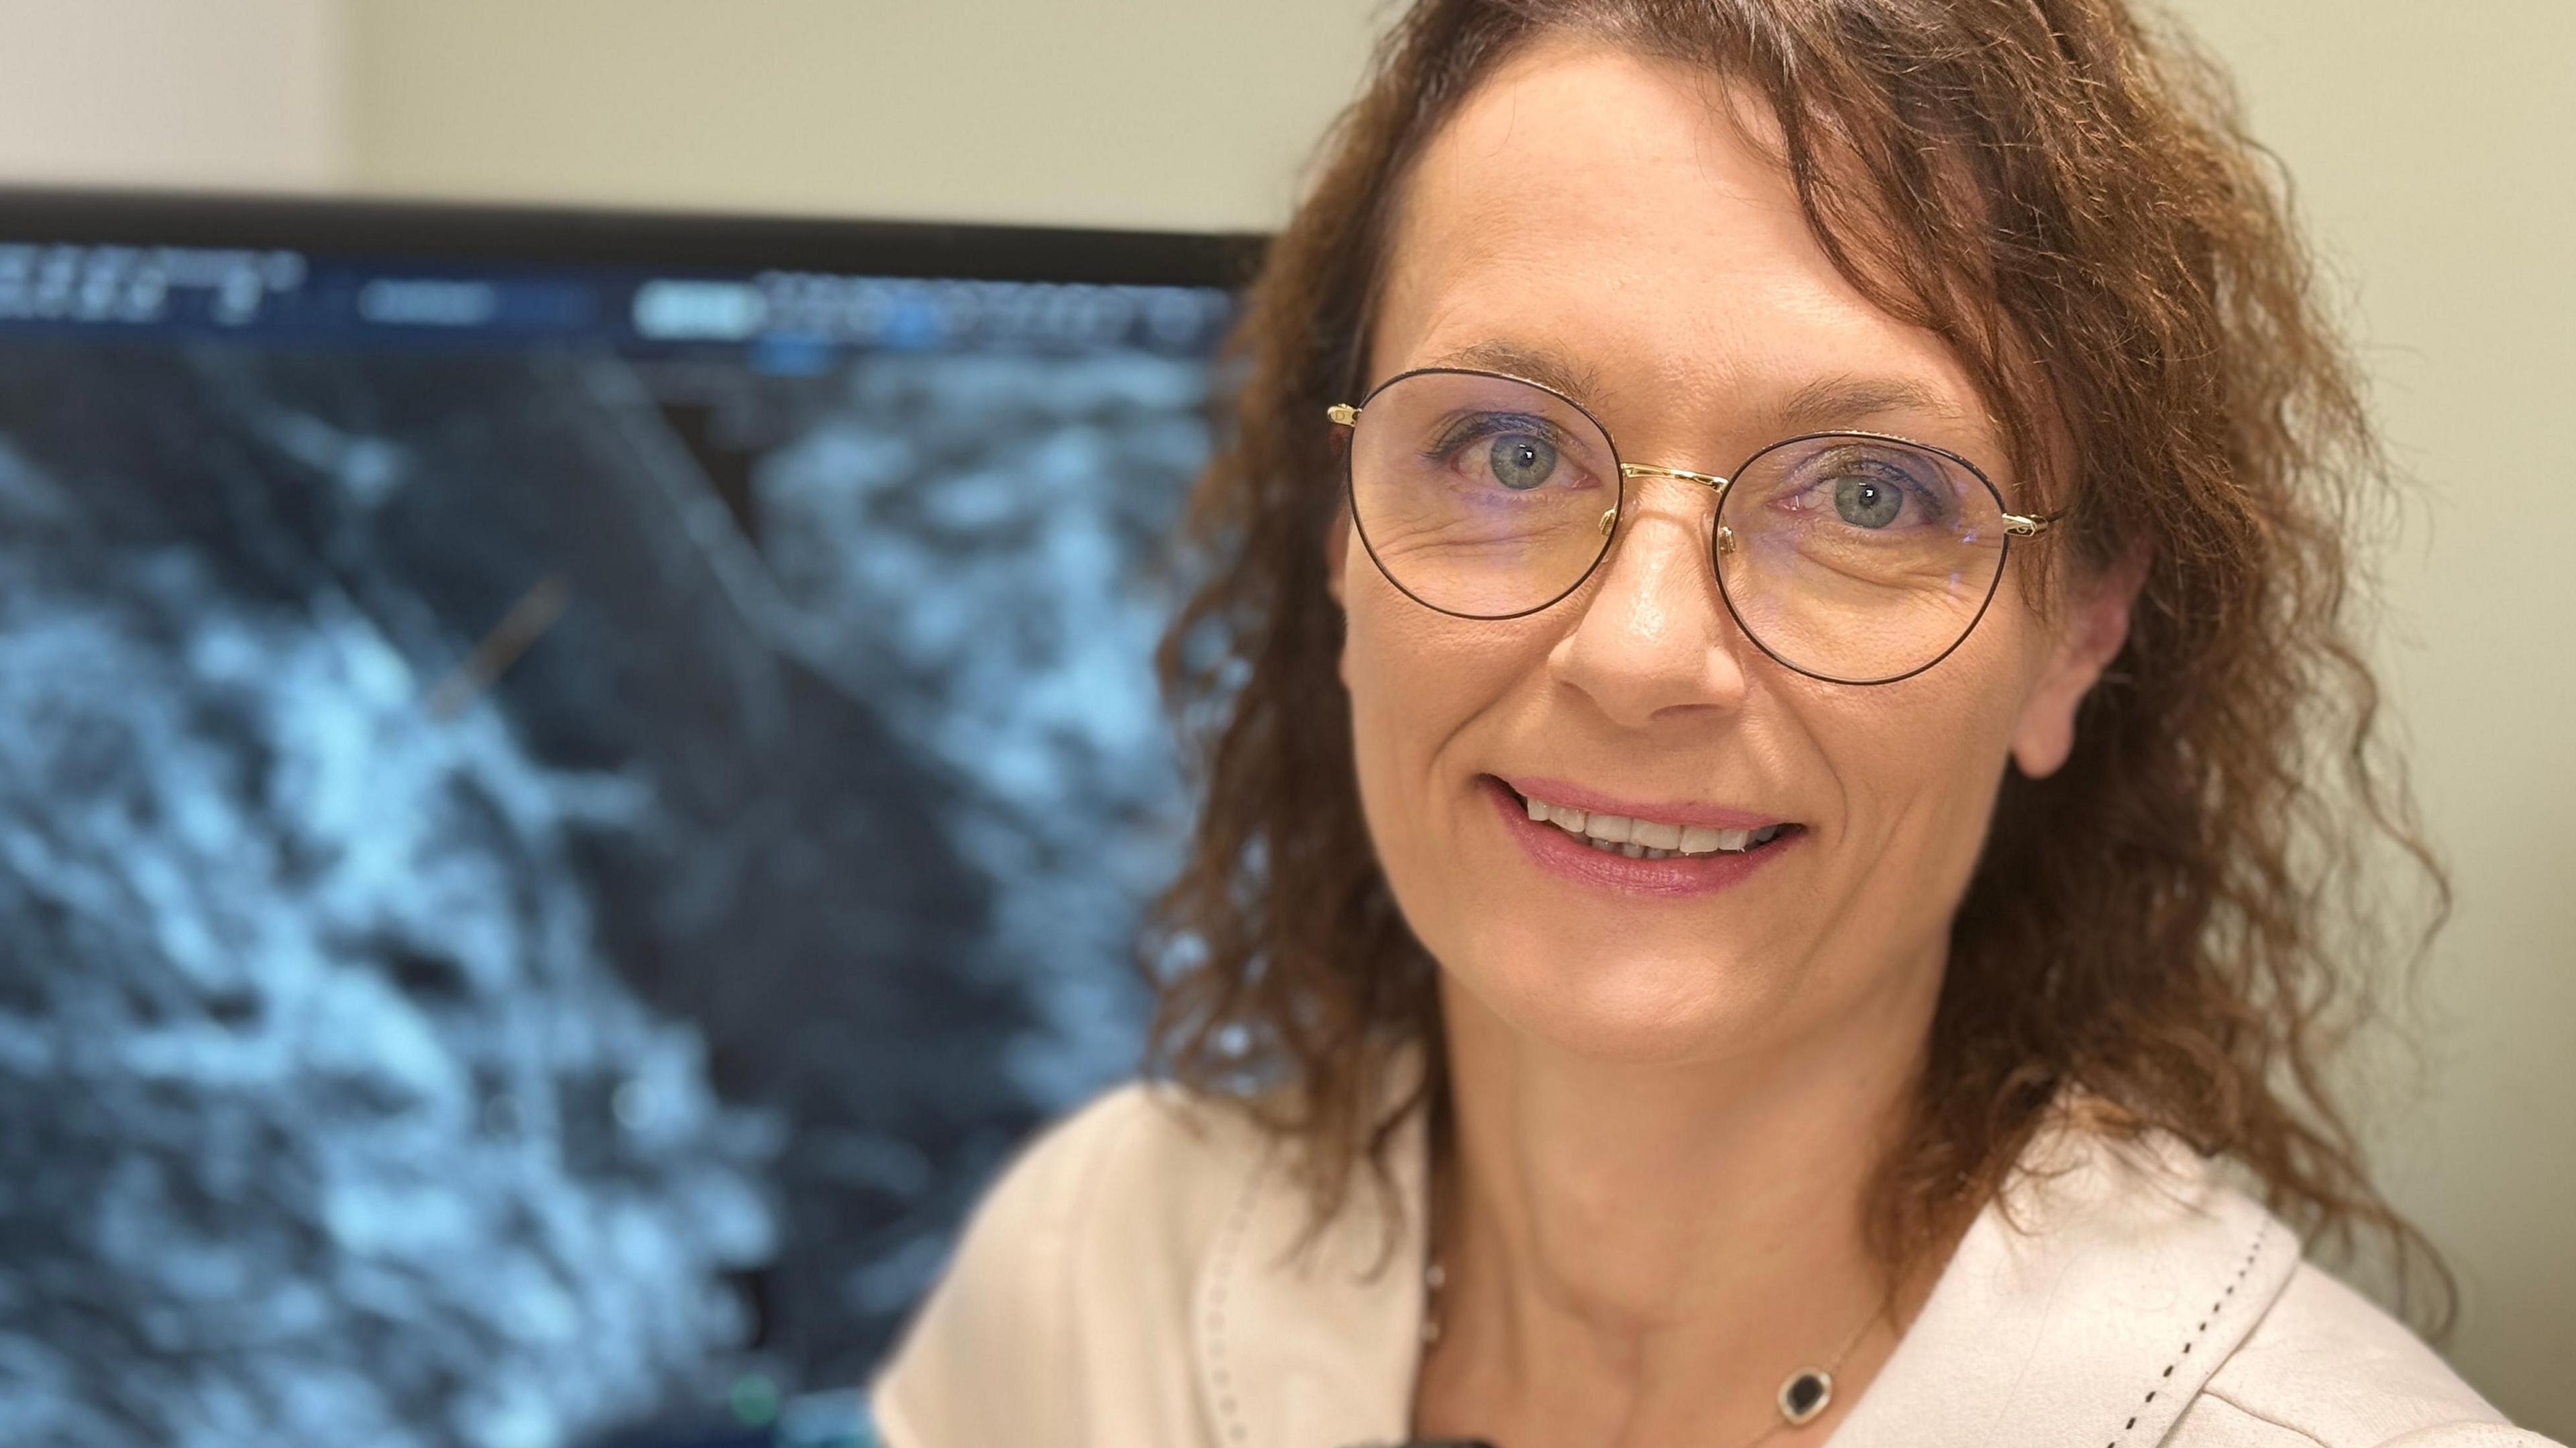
x,y
1655,638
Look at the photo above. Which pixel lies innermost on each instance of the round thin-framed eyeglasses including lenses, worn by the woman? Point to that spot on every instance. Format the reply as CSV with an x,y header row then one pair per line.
x,y
1851,558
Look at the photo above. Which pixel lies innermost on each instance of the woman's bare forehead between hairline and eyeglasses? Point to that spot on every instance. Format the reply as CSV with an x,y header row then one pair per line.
x,y
1624,223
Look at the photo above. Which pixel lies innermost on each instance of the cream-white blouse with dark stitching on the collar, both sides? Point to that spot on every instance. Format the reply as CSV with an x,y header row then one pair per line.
x,y
1135,1284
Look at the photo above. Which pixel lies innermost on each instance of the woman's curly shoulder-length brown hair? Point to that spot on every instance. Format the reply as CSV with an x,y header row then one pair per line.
x,y
2072,202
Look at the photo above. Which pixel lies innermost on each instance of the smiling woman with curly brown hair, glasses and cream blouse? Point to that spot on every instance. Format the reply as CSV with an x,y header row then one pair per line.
x,y
1763,864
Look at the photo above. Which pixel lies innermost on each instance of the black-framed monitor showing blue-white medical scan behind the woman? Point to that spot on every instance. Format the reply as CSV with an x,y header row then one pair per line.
x,y
573,787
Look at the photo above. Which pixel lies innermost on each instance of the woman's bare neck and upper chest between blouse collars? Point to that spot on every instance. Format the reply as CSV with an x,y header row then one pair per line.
x,y
1642,1253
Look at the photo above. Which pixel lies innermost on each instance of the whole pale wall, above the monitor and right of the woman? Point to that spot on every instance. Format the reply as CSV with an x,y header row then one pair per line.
x,y
2433,151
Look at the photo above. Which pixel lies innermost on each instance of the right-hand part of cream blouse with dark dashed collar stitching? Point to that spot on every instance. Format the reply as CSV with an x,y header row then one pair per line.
x,y
2126,1295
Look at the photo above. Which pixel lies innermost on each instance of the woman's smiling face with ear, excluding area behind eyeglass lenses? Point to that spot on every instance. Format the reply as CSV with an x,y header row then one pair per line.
x,y
1596,220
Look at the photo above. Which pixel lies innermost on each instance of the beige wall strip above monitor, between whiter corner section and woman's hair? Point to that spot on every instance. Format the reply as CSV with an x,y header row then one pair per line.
x,y
1130,112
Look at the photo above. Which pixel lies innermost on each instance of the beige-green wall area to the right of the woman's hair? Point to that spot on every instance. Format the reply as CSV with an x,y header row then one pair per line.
x,y
2438,166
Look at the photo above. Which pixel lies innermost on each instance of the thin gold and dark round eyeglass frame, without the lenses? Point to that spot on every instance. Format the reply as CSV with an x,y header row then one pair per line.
x,y
1722,537
